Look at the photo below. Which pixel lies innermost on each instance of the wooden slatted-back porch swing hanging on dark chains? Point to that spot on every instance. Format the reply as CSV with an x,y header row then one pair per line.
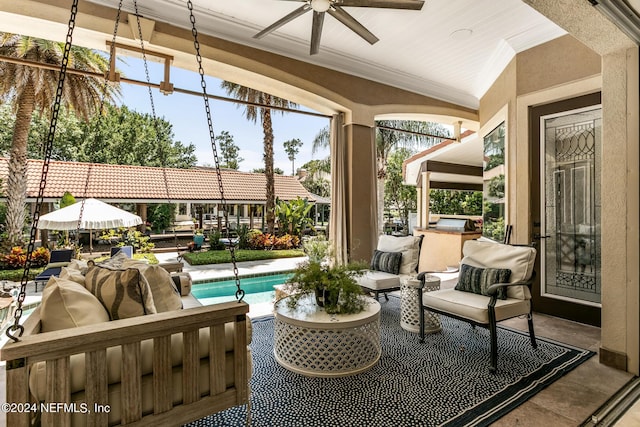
x,y
167,368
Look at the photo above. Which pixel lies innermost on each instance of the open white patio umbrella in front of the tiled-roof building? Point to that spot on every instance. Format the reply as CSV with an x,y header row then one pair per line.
x,y
96,215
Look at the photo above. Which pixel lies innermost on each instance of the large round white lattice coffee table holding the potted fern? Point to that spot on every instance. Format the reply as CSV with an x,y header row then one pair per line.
x,y
311,342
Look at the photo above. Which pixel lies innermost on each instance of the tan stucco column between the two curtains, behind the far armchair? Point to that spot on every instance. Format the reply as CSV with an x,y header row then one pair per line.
x,y
361,198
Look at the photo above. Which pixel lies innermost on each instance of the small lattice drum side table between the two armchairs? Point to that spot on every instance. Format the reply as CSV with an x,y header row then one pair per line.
x,y
409,309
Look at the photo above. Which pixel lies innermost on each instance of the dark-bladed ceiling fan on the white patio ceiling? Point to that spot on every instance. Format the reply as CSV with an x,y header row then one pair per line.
x,y
335,9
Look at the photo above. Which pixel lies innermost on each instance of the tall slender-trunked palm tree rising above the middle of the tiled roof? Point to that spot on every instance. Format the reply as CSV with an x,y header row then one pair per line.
x,y
254,98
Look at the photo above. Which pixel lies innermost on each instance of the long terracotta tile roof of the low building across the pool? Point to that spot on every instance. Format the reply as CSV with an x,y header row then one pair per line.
x,y
118,183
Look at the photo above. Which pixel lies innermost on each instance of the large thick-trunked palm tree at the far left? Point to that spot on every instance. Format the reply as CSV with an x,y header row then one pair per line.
x,y
32,89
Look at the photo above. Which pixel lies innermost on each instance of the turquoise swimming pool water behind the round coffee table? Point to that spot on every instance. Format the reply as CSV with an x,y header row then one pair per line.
x,y
257,289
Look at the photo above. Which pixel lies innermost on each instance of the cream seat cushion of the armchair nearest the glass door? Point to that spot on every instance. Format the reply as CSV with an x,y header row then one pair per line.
x,y
473,306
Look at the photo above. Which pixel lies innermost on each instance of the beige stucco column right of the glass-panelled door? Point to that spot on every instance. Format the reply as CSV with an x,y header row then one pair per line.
x,y
620,262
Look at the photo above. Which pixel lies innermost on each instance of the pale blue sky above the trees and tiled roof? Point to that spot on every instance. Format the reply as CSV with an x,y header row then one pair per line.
x,y
187,115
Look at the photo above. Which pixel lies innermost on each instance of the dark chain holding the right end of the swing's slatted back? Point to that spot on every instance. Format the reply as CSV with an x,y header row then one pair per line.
x,y
240,292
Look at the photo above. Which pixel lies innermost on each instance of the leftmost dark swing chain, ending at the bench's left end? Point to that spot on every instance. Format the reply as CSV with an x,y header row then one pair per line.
x,y
17,327
